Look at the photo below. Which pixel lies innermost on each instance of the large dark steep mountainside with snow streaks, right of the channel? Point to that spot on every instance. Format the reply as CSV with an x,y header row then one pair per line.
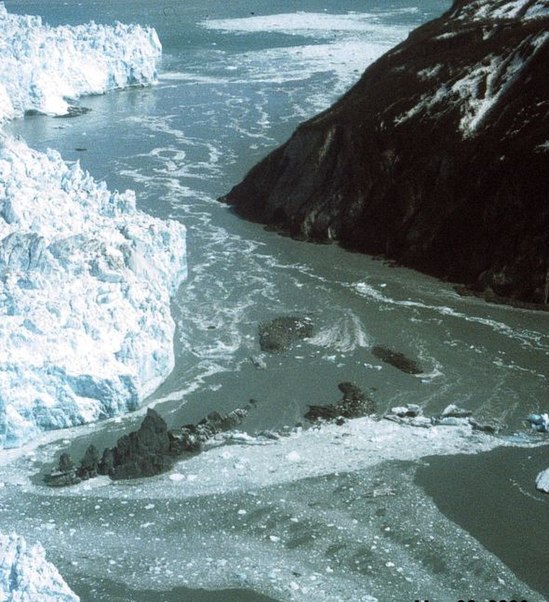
x,y
438,157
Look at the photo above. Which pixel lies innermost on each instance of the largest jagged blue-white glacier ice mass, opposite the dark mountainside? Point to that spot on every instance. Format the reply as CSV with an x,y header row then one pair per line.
x,y
85,286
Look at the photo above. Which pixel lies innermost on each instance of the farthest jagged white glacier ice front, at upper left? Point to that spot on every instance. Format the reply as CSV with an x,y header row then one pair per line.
x,y
43,68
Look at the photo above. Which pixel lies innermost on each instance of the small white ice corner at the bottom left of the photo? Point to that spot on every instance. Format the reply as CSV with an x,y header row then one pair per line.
x,y
26,575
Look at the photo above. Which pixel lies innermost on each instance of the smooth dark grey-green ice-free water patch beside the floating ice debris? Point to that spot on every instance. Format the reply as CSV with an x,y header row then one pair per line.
x,y
491,496
